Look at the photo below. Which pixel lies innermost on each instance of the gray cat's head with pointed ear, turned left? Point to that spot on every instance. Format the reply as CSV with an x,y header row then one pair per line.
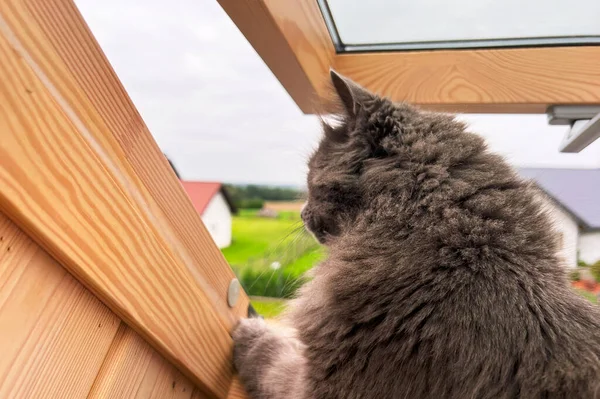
x,y
366,163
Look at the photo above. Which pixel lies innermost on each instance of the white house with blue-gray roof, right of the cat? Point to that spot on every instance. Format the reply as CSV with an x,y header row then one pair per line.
x,y
574,201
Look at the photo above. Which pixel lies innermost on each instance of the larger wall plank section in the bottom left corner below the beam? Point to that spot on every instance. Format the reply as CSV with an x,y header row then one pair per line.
x,y
54,333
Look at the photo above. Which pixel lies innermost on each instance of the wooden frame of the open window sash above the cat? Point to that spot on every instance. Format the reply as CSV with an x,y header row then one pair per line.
x,y
293,40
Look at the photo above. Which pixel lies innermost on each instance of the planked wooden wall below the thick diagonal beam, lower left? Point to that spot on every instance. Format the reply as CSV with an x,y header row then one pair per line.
x,y
59,341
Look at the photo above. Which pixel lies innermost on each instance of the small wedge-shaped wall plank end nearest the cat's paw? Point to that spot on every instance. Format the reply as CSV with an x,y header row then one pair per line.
x,y
132,369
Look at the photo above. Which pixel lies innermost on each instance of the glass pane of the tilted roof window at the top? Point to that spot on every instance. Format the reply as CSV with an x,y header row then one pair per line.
x,y
479,23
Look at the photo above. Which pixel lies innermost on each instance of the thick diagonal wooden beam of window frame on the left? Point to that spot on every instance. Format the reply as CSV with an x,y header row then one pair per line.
x,y
81,174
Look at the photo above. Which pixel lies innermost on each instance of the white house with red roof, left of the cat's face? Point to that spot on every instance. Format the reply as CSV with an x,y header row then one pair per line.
x,y
215,208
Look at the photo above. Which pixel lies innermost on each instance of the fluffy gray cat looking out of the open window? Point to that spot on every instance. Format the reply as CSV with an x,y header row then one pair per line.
x,y
442,278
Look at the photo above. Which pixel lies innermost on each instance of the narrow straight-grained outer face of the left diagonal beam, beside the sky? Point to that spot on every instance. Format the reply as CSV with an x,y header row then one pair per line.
x,y
57,38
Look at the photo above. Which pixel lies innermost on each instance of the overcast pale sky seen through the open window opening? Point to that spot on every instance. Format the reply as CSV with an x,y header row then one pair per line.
x,y
219,113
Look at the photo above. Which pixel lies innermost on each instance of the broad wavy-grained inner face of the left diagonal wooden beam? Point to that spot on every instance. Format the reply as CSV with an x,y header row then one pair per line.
x,y
64,180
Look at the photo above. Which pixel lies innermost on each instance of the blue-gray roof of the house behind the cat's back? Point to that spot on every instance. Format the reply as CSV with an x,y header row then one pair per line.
x,y
577,190
